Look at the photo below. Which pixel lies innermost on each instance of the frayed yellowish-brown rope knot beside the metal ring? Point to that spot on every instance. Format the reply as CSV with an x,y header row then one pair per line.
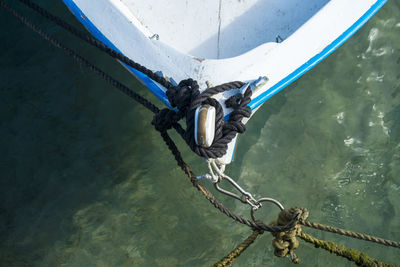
x,y
285,242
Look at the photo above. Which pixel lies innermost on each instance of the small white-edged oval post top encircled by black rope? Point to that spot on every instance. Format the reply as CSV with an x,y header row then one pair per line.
x,y
204,125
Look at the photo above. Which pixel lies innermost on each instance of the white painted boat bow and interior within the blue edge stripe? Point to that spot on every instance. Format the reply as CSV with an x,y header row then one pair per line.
x,y
223,40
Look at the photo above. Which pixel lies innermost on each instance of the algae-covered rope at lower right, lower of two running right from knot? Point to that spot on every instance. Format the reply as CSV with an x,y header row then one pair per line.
x,y
356,256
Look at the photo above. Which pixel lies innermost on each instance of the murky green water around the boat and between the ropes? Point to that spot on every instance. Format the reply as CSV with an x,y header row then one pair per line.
x,y
86,181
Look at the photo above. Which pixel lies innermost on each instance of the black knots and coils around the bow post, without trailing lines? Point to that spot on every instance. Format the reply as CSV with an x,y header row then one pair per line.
x,y
186,97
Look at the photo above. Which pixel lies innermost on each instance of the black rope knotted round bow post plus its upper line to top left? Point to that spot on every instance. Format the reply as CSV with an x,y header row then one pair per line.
x,y
186,97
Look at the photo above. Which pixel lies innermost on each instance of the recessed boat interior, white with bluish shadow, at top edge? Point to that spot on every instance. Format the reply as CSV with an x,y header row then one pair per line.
x,y
217,29
